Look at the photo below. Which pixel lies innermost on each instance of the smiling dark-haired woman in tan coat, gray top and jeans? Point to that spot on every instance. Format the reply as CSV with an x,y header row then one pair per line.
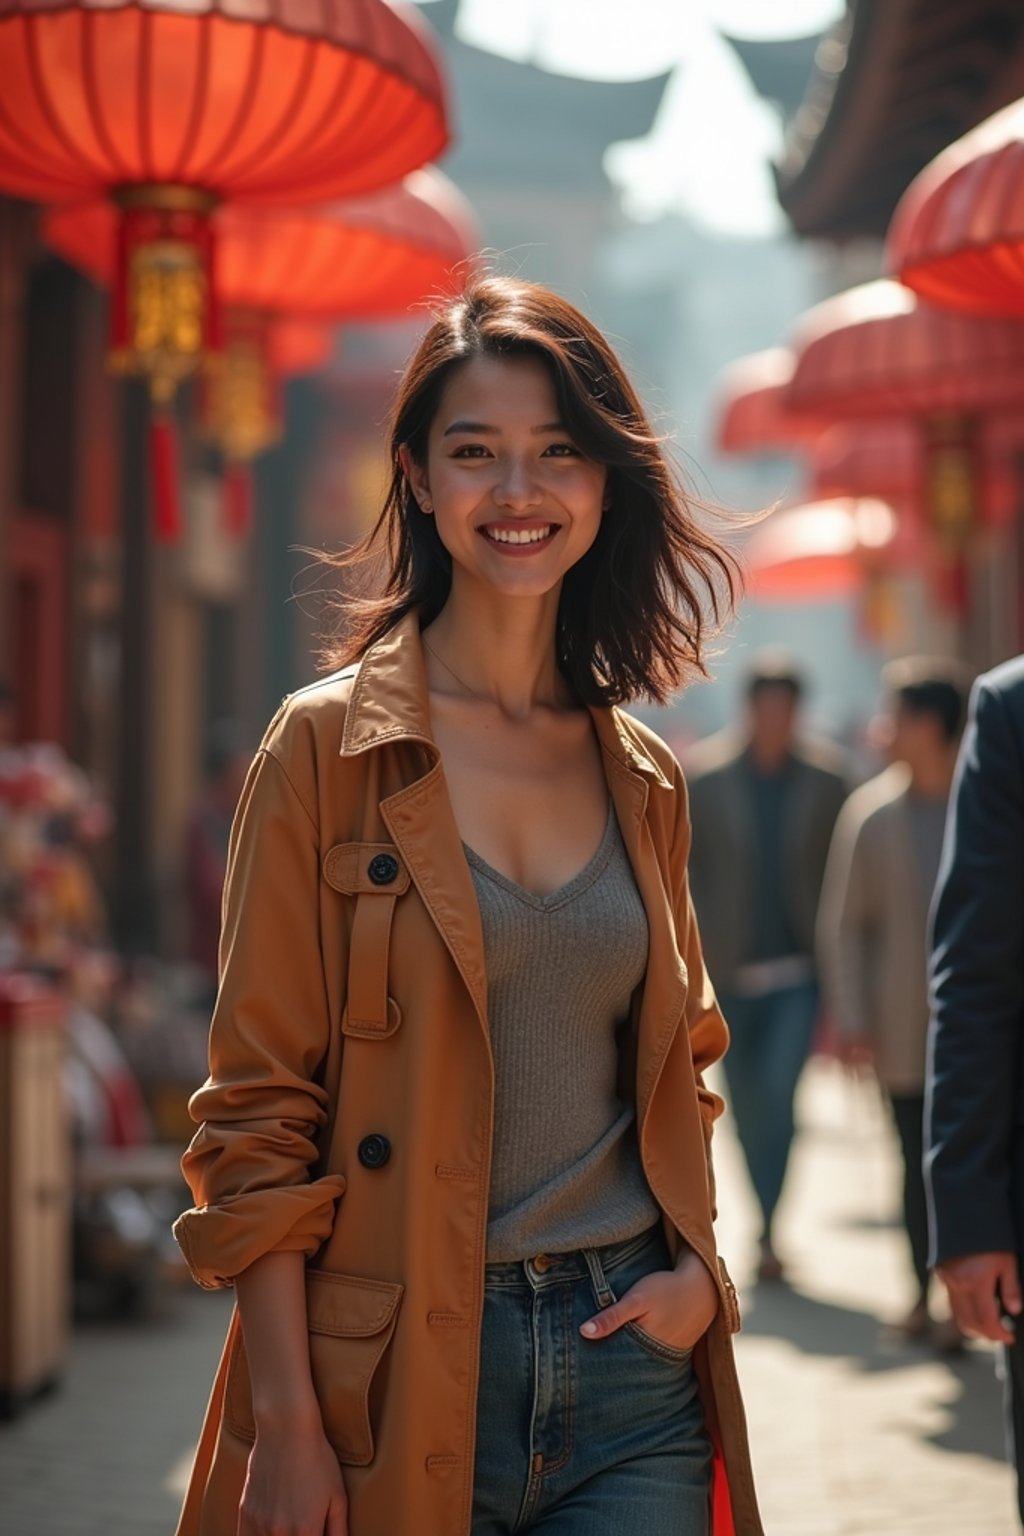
x,y
455,1064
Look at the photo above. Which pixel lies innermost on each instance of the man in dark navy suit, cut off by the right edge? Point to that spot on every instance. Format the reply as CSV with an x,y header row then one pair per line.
x,y
974,1114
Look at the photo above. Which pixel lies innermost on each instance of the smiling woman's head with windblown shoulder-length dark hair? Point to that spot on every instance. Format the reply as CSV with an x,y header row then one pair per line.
x,y
515,402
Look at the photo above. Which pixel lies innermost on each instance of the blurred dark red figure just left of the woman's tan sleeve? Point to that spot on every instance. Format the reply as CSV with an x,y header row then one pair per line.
x,y
228,758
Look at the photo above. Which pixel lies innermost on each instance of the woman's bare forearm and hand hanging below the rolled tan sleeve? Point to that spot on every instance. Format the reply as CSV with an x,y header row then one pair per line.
x,y
296,1486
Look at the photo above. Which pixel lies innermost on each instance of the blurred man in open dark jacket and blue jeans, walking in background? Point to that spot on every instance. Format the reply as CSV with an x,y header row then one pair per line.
x,y
764,806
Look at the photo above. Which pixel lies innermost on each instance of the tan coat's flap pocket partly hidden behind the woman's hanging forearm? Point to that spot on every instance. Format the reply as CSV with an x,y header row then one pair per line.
x,y
351,1326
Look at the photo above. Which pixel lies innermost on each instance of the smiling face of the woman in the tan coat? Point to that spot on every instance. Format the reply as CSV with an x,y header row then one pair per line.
x,y
517,503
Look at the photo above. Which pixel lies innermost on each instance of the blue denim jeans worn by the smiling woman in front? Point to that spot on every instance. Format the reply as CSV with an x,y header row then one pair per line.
x,y
580,1437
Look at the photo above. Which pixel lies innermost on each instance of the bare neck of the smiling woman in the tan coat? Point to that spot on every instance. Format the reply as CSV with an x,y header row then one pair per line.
x,y
500,650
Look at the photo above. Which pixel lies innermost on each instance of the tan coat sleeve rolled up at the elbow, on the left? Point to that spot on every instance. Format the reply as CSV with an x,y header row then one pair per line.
x,y
260,1113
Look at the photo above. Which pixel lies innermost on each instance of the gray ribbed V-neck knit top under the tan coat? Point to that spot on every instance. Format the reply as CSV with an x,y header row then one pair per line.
x,y
561,973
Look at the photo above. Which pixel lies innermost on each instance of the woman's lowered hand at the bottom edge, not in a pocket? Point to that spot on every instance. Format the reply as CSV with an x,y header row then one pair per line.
x,y
294,1486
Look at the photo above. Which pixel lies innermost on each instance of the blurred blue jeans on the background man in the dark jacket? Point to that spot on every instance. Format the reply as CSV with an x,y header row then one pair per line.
x,y
770,1044
